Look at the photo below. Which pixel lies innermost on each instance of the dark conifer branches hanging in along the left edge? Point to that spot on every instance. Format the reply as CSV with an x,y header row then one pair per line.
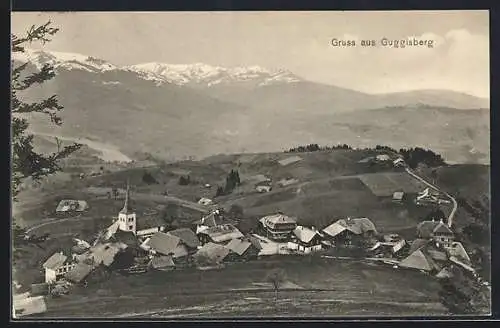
x,y
25,161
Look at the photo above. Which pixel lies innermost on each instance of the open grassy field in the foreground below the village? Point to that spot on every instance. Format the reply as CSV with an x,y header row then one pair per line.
x,y
318,287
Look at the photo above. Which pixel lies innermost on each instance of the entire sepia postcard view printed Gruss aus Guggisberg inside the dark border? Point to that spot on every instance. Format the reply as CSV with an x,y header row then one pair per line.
x,y
250,164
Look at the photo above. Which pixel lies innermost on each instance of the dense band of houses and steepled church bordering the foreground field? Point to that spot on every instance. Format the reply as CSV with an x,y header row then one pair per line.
x,y
214,241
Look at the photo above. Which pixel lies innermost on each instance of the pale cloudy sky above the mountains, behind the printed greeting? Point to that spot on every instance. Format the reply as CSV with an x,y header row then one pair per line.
x,y
297,41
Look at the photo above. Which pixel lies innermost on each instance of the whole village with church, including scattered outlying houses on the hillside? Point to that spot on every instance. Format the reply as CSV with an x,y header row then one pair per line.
x,y
134,245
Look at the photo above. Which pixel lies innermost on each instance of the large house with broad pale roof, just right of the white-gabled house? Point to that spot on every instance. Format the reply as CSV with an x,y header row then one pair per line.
x,y
351,231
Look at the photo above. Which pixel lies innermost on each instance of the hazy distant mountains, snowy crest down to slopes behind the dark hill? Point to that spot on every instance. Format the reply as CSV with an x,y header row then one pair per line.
x,y
176,111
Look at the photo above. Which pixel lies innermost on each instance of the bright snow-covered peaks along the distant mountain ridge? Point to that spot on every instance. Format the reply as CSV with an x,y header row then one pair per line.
x,y
179,74
